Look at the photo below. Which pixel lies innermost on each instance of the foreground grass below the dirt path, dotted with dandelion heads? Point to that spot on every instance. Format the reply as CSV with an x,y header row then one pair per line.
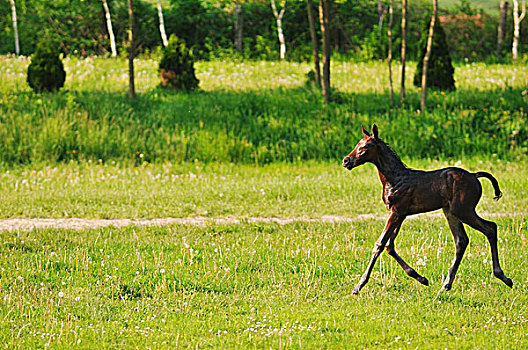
x,y
257,286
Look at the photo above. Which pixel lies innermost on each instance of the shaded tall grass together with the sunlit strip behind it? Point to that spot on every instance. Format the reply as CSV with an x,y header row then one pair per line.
x,y
256,112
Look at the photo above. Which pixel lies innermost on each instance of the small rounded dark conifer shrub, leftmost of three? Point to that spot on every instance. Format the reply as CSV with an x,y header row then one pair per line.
x,y
46,71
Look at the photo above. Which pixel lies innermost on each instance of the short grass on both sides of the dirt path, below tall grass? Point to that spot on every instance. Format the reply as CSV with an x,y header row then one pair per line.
x,y
256,285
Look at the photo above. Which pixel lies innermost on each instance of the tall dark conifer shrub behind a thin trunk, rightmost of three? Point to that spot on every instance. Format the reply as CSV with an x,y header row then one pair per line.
x,y
440,69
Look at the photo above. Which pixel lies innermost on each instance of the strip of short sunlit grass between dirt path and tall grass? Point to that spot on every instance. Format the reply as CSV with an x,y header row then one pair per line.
x,y
223,190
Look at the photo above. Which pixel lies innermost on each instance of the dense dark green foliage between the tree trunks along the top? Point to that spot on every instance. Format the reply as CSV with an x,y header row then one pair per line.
x,y
207,27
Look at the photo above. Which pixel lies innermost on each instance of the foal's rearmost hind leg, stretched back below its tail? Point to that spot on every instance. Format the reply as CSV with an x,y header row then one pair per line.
x,y
489,229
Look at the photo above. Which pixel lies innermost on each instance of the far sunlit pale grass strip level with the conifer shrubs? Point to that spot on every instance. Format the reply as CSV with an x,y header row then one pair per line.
x,y
100,73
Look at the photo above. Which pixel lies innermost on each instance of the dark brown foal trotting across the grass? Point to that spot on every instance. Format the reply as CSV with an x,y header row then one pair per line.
x,y
408,191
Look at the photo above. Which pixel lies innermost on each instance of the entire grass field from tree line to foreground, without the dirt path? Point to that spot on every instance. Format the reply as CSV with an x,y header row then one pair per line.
x,y
254,142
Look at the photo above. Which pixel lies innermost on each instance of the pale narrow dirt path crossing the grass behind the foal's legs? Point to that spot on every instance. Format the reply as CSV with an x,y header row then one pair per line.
x,y
22,224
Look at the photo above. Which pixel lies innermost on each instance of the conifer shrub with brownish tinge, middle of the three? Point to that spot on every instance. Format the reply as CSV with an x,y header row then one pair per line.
x,y
177,66
